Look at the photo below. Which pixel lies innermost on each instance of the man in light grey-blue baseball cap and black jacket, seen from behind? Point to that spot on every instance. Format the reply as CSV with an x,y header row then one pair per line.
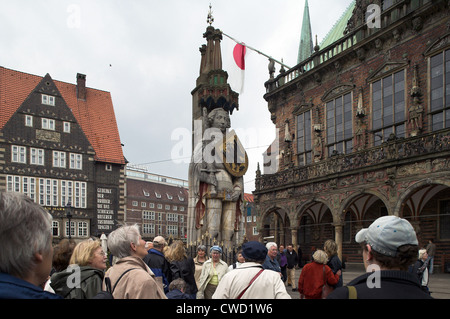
x,y
389,246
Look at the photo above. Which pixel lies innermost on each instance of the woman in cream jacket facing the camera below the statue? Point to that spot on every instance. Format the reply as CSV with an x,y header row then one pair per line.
x,y
212,272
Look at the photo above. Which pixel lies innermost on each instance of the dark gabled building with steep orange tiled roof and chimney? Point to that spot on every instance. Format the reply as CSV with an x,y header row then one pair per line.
x,y
60,145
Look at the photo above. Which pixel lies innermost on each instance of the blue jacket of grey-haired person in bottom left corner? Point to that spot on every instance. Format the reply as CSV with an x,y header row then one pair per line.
x,y
15,288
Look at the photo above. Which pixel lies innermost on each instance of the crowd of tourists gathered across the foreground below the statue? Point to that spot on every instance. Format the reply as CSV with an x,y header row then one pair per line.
x,y
31,268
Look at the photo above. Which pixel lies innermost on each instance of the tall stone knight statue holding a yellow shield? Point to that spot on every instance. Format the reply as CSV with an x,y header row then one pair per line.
x,y
216,183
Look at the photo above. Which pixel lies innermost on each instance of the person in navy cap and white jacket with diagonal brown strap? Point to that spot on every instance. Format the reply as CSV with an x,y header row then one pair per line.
x,y
250,280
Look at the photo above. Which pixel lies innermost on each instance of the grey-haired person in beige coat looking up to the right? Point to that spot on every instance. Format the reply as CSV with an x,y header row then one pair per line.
x,y
137,281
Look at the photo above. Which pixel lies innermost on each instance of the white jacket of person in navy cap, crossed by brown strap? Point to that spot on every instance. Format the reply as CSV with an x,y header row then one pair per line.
x,y
268,285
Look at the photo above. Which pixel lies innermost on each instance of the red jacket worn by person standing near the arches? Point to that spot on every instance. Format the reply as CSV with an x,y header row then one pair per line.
x,y
311,280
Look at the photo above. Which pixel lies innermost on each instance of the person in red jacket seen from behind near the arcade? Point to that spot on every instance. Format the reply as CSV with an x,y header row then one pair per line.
x,y
313,277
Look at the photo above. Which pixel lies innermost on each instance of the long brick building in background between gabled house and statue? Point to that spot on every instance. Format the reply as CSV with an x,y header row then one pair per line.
x,y
158,204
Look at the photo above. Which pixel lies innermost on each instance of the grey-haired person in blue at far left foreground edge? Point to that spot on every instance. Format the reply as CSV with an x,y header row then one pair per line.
x,y
26,253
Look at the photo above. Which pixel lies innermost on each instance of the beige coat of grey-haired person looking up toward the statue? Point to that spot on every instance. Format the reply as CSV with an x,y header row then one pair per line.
x,y
138,283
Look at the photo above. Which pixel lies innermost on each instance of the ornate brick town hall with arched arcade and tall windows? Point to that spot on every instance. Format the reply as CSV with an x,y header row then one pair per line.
x,y
367,117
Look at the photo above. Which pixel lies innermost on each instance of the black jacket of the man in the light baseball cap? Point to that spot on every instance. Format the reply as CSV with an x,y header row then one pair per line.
x,y
394,284
